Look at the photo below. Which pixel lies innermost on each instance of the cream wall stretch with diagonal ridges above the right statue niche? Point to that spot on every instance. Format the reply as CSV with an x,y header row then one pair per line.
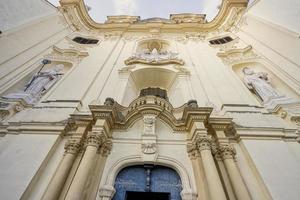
x,y
278,46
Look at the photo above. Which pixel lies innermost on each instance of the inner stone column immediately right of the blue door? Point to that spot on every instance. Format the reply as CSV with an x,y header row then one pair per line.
x,y
215,187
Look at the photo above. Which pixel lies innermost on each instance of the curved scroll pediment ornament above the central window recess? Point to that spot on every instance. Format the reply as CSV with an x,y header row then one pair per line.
x,y
154,57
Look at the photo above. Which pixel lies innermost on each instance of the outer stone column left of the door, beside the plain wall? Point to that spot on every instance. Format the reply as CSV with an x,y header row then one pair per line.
x,y
57,182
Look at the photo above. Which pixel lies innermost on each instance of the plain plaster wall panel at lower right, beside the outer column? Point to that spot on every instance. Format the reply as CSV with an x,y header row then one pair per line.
x,y
277,165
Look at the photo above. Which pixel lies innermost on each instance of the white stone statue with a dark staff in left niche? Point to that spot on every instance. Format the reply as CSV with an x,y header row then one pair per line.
x,y
38,85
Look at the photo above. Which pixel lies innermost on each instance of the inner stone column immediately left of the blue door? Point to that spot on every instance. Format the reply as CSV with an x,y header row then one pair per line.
x,y
94,141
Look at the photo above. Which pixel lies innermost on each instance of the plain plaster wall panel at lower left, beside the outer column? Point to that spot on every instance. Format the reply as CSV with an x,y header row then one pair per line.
x,y
20,158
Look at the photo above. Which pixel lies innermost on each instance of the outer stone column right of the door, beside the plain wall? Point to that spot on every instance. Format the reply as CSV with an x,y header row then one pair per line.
x,y
228,152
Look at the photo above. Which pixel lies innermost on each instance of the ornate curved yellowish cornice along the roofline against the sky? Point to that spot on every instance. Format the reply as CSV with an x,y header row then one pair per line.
x,y
77,16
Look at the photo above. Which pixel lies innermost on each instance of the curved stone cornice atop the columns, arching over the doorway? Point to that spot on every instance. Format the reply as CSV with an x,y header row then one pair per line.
x,y
119,117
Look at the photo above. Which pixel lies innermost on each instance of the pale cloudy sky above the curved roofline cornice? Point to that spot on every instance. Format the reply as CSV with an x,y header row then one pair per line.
x,y
149,8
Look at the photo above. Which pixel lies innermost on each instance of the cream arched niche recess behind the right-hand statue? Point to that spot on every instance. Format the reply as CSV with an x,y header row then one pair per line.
x,y
278,84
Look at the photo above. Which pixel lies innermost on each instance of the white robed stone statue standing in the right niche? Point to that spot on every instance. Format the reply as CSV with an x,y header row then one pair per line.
x,y
260,84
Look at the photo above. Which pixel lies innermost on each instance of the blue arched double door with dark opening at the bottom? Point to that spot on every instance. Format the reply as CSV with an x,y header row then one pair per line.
x,y
147,182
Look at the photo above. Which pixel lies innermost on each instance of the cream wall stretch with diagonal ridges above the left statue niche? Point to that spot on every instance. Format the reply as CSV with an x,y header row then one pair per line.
x,y
22,50
